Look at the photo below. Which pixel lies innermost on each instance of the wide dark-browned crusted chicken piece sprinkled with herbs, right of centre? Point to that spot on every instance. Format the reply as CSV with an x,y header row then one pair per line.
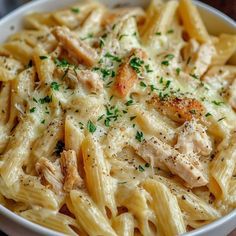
x,y
178,109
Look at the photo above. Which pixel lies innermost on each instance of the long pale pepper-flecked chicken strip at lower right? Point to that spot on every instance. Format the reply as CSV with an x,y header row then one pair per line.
x,y
158,154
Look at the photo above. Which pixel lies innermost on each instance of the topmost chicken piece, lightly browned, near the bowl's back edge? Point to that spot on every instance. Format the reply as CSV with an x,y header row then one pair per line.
x,y
112,16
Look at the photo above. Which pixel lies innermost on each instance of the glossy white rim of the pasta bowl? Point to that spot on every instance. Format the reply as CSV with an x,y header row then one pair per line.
x,y
46,231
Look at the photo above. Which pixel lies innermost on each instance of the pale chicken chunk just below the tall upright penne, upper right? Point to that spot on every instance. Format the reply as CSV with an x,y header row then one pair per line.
x,y
198,57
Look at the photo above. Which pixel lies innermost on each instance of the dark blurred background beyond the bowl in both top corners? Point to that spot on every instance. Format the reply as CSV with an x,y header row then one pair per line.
x,y
226,6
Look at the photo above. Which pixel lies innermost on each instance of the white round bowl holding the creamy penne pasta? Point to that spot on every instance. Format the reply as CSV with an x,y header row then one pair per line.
x,y
216,23
